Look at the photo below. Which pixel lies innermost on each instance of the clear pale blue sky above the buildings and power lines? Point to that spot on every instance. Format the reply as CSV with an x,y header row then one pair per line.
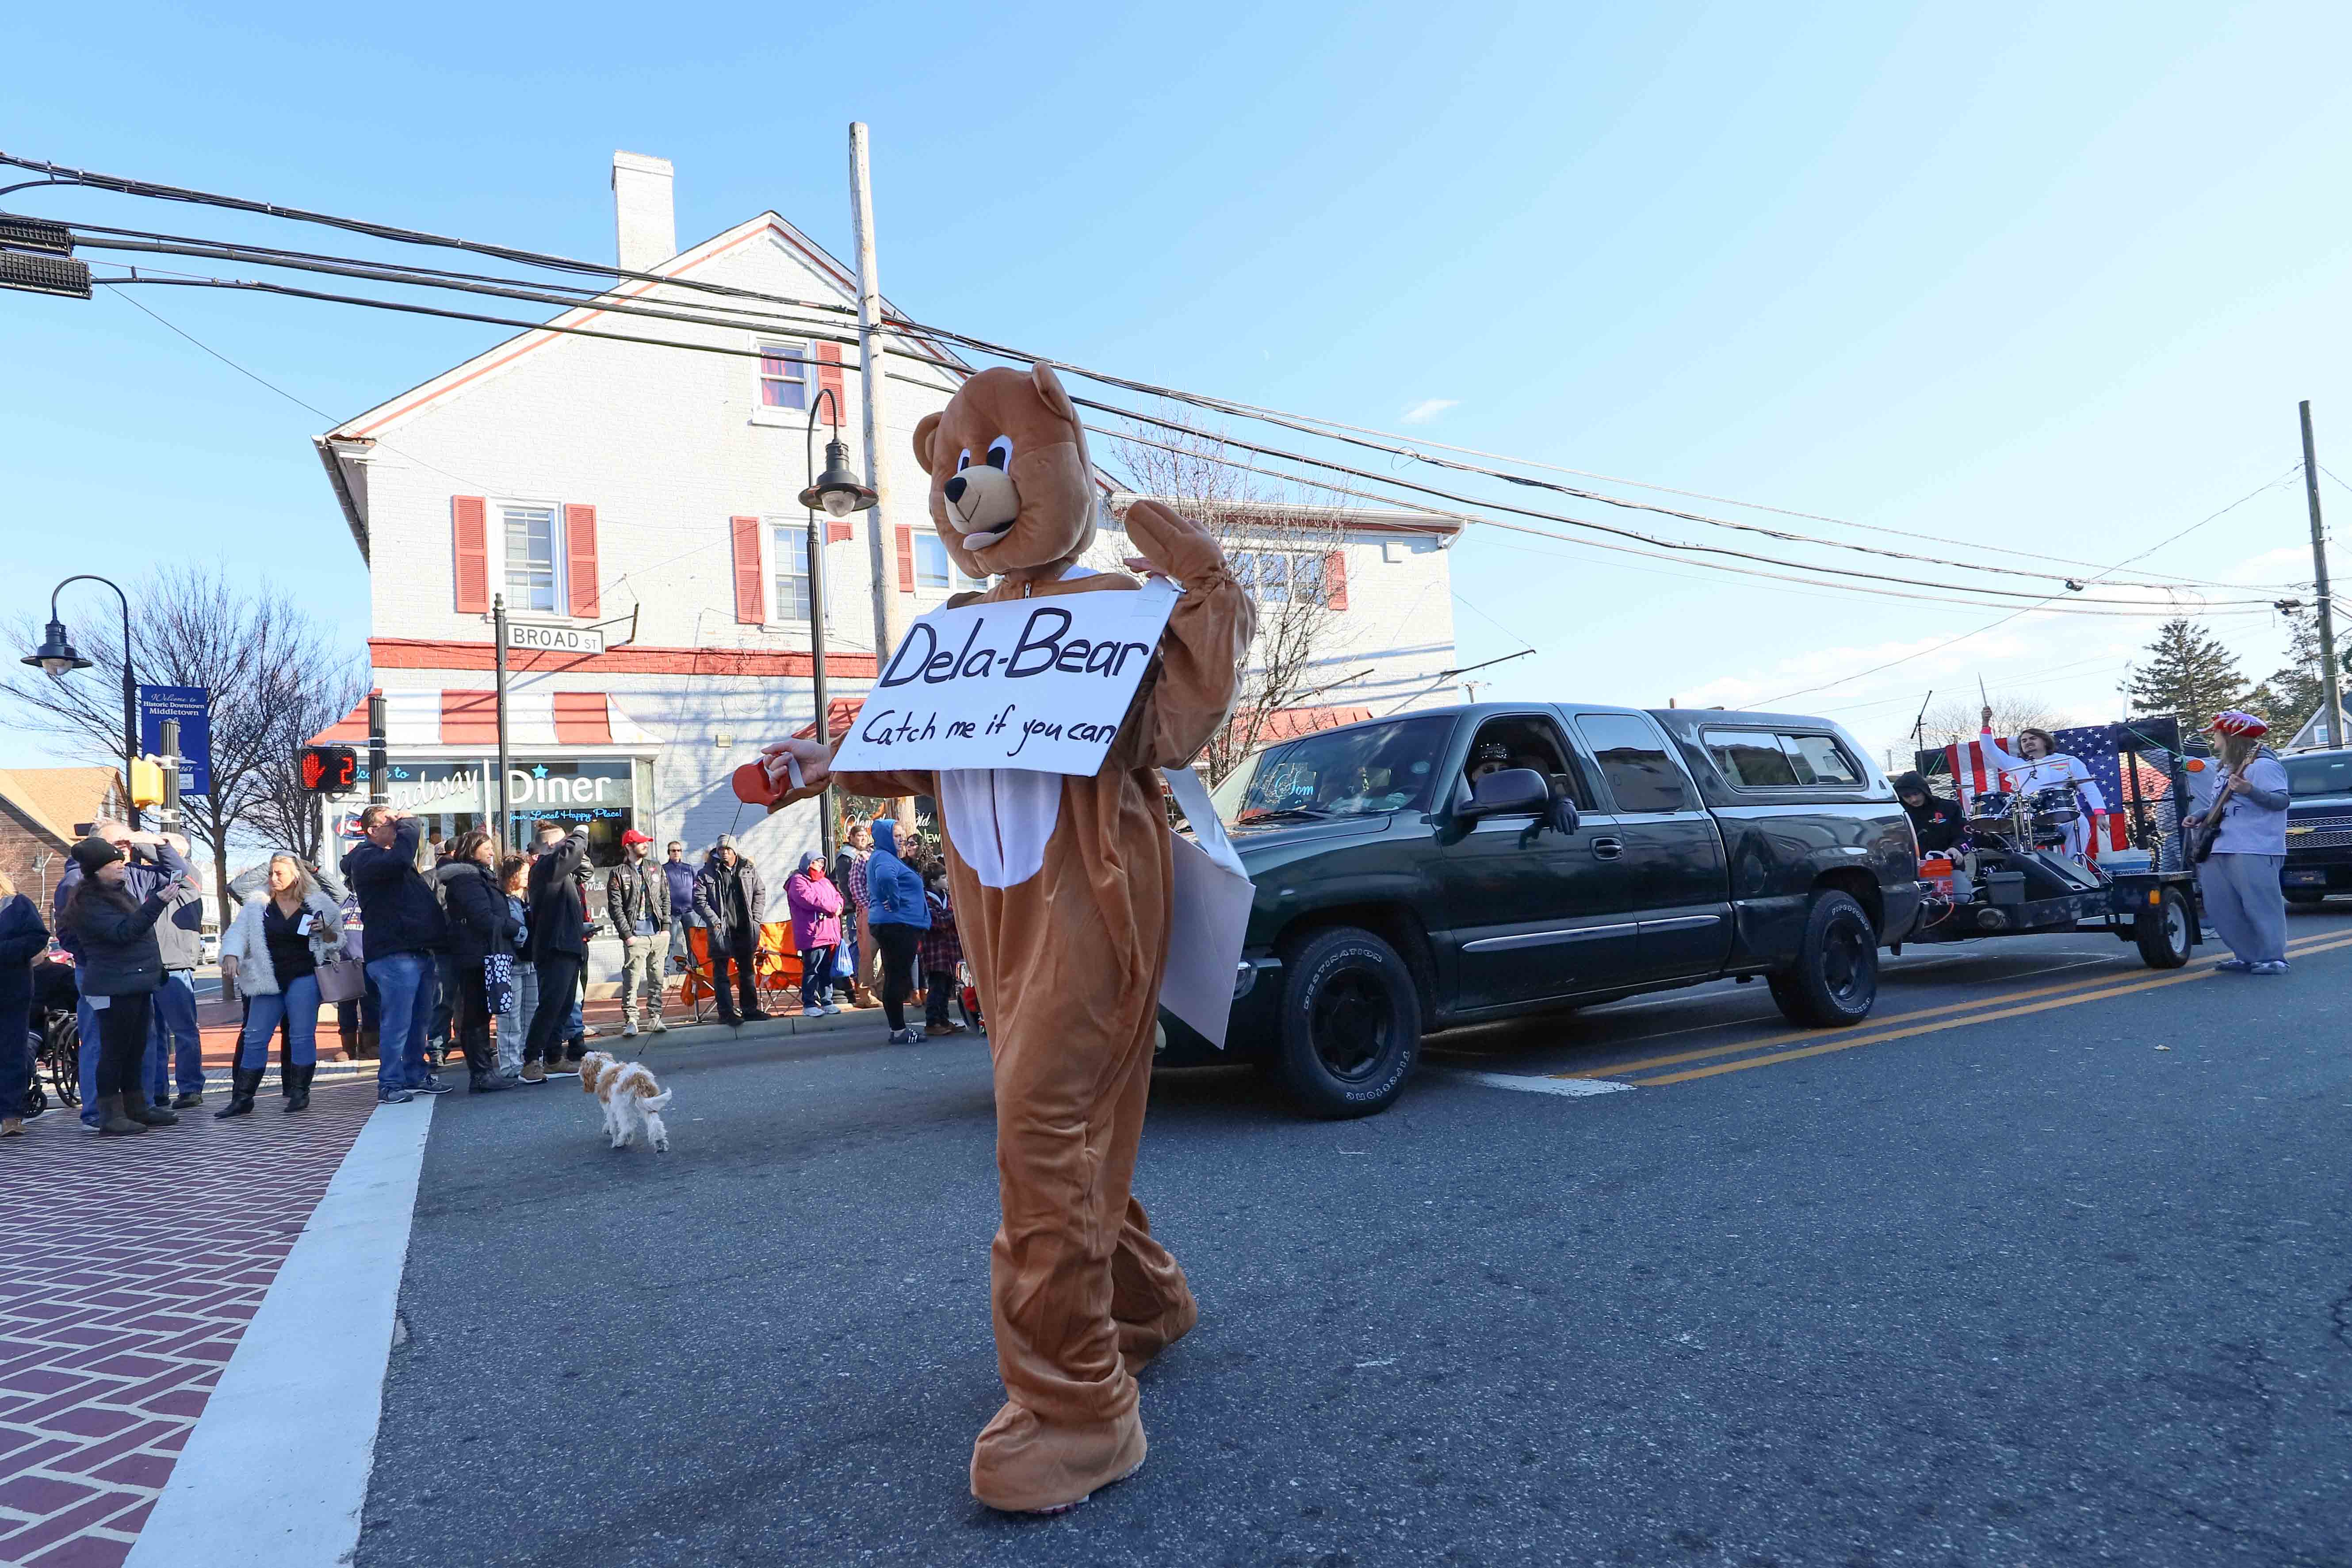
x,y
2045,279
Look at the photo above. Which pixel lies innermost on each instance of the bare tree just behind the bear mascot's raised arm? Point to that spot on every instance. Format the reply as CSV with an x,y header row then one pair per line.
x,y
1281,544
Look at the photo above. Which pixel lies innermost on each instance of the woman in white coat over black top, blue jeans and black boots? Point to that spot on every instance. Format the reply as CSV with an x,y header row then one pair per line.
x,y
272,956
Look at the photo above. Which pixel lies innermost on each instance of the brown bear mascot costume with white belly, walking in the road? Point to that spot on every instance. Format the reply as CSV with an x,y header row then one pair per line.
x,y
1062,894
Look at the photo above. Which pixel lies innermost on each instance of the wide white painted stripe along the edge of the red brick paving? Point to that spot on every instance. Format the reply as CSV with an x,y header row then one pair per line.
x,y
305,1388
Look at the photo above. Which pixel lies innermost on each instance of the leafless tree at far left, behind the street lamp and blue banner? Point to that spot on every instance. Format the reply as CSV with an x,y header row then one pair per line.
x,y
272,671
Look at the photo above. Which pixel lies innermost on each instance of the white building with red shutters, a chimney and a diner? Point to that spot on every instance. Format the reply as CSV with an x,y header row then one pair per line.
x,y
639,511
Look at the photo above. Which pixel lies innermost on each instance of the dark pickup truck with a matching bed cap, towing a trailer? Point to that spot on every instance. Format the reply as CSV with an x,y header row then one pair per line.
x,y
1469,864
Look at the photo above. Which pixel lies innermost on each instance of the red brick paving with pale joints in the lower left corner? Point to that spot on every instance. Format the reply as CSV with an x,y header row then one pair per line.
x,y
135,1266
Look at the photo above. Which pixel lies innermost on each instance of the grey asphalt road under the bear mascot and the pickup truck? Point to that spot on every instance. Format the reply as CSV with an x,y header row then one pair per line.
x,y
2059,1287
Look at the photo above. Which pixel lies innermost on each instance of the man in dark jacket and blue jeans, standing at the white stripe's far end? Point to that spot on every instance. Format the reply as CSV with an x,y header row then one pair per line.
x,y
403,930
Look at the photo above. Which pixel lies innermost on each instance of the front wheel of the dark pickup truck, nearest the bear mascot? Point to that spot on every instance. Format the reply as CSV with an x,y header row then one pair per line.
x,y
1351,1024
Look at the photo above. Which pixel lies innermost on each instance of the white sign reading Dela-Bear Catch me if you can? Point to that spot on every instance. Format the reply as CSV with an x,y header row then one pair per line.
x,y
1036,685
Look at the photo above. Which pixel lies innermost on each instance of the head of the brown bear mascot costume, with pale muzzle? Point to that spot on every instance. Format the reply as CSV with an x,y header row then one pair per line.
x,y
1013,490
